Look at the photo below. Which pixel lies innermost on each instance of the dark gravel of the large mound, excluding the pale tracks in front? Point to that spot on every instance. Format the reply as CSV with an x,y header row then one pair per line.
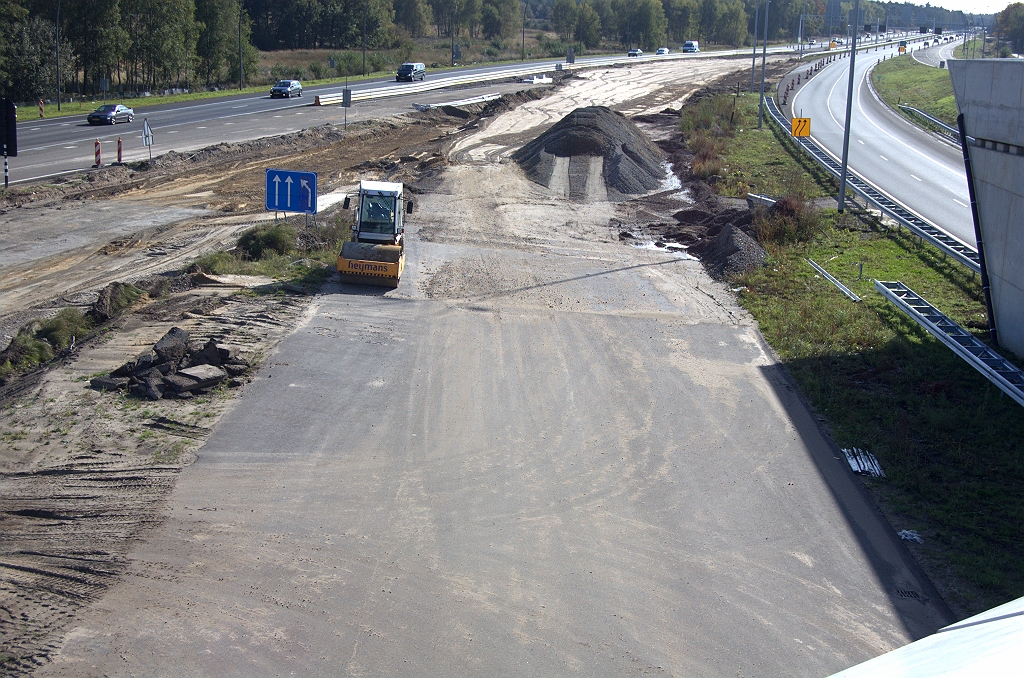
x,y
632,164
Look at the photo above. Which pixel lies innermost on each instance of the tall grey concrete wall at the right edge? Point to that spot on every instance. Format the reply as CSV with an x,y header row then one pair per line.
x,y
991,95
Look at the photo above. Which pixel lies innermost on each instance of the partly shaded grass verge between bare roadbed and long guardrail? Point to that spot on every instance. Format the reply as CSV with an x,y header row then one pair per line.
x,y
952,445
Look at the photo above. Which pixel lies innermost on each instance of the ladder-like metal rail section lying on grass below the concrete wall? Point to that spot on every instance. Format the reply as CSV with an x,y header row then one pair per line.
x,y
997,369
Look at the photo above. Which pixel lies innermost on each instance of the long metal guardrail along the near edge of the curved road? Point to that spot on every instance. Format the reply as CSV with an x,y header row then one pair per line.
x,y
946,243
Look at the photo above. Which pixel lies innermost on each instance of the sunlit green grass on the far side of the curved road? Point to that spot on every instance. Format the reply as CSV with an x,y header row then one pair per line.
x,y
904,80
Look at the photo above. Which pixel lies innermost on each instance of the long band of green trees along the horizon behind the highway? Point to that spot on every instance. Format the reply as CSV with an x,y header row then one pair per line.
x,y
143,46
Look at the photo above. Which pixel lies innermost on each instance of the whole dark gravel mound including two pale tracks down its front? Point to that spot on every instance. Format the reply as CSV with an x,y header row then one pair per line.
x,y
591,144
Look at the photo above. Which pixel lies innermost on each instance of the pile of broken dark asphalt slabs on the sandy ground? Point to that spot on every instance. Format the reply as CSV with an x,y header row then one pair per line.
x,y
177,367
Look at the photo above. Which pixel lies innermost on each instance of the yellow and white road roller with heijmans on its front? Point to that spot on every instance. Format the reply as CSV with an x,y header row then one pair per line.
x,y
376,256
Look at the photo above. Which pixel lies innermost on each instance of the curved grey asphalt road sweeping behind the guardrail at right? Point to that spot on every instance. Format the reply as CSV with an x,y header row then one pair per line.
x,y
925,175
